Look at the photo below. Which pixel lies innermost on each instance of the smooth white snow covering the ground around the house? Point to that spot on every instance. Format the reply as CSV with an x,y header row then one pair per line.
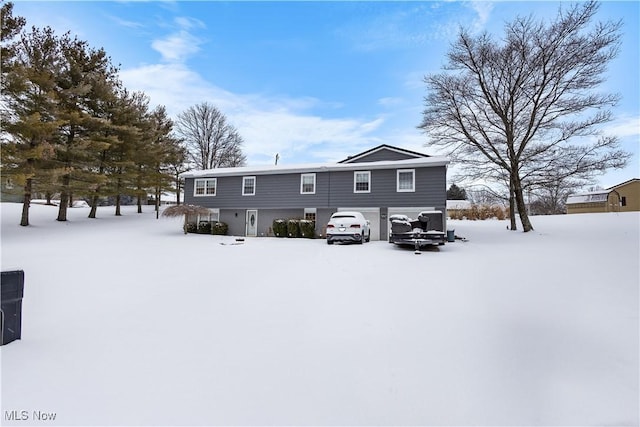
x,y
127,321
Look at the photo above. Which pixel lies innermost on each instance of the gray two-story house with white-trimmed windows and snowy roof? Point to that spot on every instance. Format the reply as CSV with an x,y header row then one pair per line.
x,y
379,182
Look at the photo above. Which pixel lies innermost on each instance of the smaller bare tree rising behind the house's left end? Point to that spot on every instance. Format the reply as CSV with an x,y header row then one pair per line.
x,y
210,140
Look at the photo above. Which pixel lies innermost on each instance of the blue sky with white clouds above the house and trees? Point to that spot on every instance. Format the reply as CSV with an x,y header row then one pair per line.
x,y
314,81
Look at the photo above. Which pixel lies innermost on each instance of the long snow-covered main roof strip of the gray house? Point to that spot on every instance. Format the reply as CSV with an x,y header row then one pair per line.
x,y
317,167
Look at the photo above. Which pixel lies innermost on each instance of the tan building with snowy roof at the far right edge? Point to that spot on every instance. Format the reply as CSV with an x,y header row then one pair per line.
x,y
623,197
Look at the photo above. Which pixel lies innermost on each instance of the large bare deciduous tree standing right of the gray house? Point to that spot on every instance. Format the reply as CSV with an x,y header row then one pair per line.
x,y
513,109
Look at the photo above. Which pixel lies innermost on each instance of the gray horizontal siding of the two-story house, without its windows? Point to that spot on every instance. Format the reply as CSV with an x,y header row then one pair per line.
x,y
277,194
